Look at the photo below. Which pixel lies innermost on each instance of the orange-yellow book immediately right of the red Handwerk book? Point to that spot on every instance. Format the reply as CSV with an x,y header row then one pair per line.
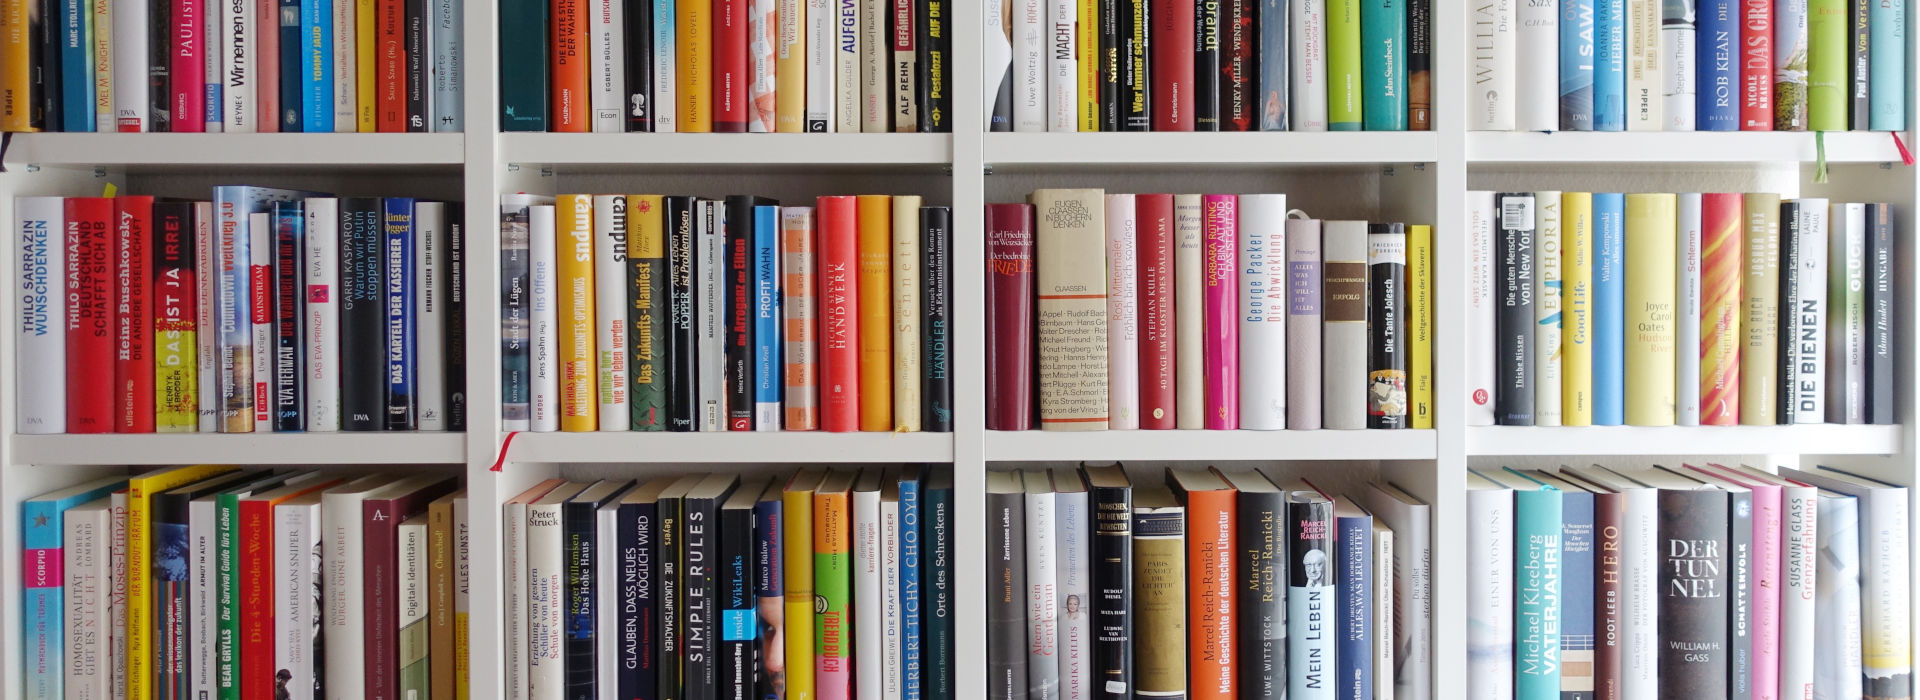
x,y
876,312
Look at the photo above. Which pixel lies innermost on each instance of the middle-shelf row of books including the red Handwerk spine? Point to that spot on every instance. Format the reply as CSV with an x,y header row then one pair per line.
x,y
708,315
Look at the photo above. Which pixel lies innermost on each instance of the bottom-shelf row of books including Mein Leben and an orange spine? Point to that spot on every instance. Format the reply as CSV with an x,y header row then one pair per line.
x,y
1216,586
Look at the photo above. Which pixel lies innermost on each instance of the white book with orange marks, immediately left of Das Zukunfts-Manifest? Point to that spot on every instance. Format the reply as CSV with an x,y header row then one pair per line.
x,y
610,310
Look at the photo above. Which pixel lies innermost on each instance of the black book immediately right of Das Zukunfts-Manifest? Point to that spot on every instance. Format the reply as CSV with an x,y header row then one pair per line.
x,y
683,367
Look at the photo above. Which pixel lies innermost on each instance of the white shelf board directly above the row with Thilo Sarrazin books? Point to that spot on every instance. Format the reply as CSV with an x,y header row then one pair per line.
x,y
276,151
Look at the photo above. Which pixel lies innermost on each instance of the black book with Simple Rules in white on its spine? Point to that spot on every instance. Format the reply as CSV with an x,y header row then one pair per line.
x,y
700,584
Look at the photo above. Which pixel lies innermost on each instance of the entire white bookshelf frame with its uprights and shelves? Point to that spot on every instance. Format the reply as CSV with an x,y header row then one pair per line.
x,y
1416,177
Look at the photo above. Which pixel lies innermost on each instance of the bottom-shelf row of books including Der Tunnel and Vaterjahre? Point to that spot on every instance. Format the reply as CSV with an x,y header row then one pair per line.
x,y
1698,582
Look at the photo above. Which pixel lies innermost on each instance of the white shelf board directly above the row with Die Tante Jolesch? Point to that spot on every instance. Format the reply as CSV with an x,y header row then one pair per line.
x,y
1211,149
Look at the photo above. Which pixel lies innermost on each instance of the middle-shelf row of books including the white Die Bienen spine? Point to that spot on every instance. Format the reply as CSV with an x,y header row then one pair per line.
x,y
1692,310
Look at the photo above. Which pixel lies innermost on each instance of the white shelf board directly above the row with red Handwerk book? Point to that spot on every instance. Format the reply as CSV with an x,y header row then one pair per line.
x,y
727,149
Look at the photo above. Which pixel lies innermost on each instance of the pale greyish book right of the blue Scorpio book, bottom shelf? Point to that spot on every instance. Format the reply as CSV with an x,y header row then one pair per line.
x,y
87,572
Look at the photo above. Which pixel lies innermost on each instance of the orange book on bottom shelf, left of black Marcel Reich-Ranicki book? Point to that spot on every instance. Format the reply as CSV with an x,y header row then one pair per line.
x,y
1211,574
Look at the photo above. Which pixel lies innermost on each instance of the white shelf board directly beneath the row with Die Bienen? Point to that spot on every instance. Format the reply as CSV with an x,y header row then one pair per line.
x,y
1675,440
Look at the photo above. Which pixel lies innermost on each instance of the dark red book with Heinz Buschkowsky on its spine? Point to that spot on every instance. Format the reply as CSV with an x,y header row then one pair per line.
x,y
133,335
